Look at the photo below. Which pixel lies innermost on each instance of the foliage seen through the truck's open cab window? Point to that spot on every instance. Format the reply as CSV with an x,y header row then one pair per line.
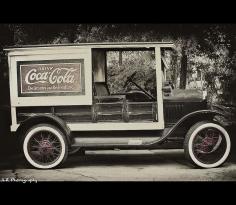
x,y
140,61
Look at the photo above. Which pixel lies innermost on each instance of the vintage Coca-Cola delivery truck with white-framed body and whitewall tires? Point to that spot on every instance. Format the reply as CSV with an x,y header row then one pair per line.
x,y
66,98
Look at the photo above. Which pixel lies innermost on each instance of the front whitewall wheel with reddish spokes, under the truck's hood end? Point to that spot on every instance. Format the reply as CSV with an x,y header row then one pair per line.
x,y
207,145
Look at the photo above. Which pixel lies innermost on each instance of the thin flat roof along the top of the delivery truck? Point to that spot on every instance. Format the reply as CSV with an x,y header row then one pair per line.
x,y
93,45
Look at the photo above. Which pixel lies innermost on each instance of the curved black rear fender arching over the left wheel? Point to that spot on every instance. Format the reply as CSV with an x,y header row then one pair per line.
x,y
45,118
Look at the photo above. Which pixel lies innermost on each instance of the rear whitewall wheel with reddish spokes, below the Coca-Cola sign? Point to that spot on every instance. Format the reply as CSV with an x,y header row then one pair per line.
x,y
45,146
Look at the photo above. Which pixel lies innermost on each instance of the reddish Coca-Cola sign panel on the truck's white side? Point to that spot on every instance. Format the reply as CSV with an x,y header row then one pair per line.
x,y
50,78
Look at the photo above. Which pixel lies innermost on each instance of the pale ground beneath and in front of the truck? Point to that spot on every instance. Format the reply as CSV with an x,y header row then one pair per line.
x,y
155,165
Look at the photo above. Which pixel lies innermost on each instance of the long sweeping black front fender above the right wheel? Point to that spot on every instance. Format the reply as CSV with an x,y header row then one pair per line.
x,y
197,116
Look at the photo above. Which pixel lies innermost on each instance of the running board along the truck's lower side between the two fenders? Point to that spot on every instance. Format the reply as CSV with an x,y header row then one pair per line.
x,y
96,141
